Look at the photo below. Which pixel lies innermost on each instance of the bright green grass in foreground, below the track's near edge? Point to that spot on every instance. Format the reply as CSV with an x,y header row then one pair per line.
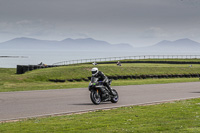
x,y
180,116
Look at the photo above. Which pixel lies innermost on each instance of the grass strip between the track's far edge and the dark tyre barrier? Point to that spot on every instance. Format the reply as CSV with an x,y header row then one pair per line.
x,y
37,85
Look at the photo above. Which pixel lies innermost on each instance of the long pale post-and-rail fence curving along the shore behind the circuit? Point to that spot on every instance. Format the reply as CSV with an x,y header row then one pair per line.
x,y
128,57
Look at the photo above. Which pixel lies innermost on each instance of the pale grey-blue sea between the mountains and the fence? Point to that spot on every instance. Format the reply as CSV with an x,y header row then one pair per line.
x,y
12,58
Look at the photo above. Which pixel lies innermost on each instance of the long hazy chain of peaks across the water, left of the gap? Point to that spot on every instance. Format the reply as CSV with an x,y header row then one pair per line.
x,y
66,44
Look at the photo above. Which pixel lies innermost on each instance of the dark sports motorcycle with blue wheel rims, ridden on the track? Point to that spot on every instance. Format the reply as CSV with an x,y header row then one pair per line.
x,y
100,93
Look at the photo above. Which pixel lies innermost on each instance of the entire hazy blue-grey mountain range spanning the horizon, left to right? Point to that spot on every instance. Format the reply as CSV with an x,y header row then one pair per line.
x,y
96,45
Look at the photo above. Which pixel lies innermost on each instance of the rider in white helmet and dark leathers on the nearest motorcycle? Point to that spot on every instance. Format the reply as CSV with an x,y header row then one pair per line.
x,y
101,77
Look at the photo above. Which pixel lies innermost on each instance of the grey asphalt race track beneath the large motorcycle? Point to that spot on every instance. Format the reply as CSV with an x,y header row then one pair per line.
x,y
26,104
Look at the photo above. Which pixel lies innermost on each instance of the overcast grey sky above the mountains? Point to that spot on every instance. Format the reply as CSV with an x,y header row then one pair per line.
x,y
136,22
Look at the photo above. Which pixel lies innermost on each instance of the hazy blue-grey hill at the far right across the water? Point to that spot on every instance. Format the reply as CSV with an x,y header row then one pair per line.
x,y
181,44
